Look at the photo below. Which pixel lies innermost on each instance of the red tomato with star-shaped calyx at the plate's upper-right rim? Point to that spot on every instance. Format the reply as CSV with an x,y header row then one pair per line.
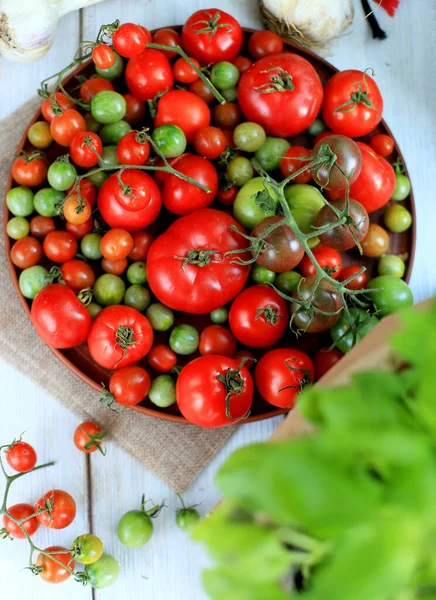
x,y
352,104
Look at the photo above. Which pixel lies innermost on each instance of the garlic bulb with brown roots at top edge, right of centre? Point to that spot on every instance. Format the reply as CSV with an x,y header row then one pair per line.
x,y
312,23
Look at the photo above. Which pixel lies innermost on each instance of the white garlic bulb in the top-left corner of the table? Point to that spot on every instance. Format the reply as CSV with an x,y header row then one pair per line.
x,y
27,27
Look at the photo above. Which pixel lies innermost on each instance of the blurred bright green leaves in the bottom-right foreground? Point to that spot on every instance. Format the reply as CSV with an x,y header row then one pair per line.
x,y
347,512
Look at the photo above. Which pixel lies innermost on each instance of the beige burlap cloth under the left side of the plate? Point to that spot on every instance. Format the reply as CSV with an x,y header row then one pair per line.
x,y
174,452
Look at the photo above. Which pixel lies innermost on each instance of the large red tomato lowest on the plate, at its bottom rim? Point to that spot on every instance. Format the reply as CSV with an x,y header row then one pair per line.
x,y
213,392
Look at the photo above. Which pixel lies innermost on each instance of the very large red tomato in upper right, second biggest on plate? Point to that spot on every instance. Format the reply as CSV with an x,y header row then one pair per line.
x,y
283,93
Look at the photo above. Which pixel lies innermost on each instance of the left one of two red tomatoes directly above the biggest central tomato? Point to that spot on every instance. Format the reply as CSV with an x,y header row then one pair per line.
x,y
133,207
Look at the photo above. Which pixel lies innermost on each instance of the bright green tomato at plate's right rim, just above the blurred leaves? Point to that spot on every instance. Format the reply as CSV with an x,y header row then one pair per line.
x,y
394,294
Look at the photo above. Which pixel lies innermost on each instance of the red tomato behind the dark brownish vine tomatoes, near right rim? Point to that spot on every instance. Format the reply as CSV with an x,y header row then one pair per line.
x,y
375,184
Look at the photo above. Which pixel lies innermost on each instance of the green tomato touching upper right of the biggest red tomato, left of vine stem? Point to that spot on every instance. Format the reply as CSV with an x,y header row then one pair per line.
x,y
255,201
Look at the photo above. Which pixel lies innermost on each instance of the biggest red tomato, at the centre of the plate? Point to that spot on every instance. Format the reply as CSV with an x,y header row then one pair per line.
x,y
187,266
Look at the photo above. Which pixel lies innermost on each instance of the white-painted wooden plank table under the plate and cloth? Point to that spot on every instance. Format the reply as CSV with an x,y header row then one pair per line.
x,y
168,568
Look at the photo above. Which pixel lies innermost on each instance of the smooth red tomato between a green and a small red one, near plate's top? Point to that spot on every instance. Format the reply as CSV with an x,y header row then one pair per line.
x,y
149,74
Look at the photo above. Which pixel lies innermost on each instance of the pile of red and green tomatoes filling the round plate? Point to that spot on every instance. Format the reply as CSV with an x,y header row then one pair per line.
x,y
153,272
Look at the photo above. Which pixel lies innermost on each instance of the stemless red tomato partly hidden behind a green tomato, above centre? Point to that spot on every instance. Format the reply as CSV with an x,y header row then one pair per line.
x,y
184,109
